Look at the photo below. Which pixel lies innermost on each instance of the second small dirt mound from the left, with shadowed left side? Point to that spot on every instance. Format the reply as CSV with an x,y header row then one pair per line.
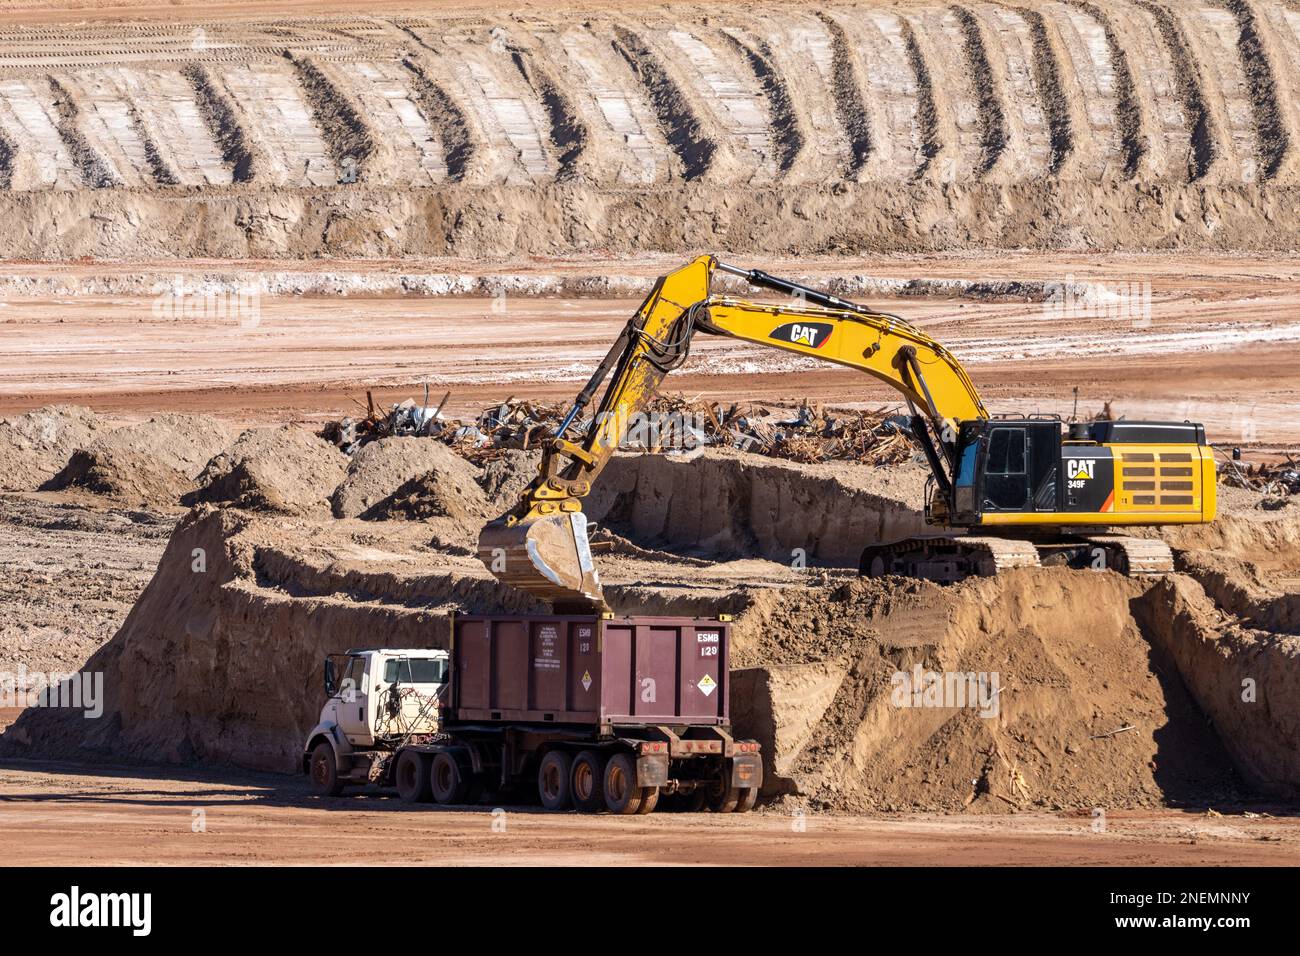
x,y
153,462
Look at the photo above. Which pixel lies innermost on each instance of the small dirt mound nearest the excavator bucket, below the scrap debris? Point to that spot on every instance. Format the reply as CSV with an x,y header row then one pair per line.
x,y
410,478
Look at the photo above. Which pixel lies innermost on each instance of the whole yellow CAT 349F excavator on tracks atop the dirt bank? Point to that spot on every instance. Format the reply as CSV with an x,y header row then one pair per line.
x,y
1004,491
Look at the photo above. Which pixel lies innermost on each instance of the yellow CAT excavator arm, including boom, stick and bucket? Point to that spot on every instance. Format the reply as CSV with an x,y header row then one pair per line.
x,y
541,546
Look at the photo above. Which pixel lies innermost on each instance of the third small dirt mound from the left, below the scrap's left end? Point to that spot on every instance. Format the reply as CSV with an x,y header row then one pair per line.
x,y
285,469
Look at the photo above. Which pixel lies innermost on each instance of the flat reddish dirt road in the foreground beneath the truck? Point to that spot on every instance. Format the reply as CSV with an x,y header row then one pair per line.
x,y
53,815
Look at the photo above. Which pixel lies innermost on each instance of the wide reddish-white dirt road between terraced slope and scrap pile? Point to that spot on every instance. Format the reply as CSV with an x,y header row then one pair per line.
x,y
1219,347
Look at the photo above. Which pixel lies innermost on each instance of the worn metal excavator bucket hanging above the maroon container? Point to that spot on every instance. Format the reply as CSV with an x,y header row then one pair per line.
x,y
548,557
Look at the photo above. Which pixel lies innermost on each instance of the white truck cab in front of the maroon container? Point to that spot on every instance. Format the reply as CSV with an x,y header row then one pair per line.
x,y
376,702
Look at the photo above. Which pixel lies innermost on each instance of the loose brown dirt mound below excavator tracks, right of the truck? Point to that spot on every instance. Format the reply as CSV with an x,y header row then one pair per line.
x,y
1074,711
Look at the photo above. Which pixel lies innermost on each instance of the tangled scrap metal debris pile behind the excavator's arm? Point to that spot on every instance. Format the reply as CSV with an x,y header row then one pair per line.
x,y
671,425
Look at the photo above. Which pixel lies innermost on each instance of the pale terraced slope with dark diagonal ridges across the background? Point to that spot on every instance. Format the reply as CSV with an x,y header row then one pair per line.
x,y
913,126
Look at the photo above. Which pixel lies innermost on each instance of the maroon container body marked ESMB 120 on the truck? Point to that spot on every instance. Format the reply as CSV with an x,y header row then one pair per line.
x,y
587,671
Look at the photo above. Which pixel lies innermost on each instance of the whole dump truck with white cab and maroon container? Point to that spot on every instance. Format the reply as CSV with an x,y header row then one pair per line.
x,y
587,712
